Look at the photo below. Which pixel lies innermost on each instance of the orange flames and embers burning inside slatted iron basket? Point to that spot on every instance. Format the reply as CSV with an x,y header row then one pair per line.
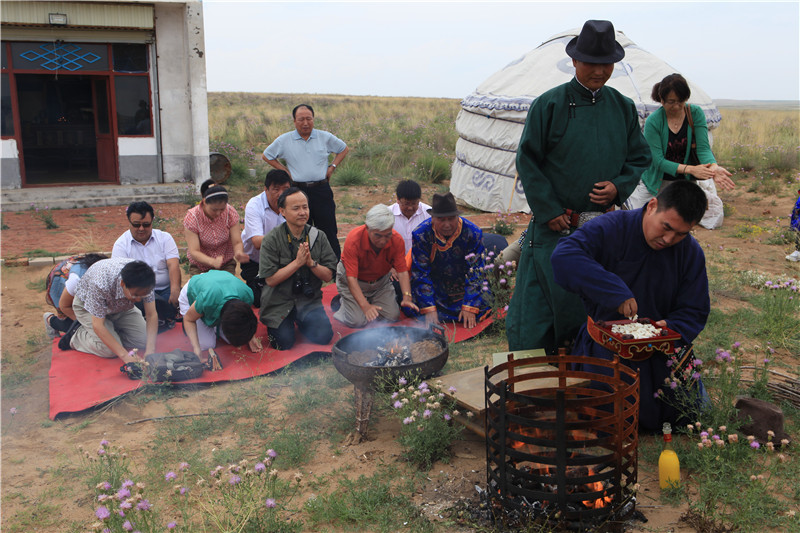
x,y
550,471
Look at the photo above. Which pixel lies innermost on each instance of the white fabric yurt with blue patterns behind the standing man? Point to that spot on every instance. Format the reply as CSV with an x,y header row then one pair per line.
x,y
491,119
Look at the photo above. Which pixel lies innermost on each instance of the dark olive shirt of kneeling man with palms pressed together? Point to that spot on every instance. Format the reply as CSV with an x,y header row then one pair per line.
x,y
278,249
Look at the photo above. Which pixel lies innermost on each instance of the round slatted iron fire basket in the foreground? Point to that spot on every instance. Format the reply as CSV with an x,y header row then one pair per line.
x,y
566,454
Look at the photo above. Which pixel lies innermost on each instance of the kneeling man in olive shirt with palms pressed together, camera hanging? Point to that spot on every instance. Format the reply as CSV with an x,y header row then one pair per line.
x,y
294,261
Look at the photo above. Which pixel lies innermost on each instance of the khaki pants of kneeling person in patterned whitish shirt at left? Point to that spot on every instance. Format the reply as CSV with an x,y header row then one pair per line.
x,y
127,327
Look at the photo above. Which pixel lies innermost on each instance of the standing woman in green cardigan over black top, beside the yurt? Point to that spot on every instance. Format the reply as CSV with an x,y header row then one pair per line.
x,y
670,131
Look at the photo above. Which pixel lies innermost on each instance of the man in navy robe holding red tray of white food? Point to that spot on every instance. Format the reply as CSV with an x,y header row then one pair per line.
x,y
641,262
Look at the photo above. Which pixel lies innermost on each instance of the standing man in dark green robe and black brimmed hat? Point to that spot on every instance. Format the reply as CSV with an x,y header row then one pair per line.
x,y
581,152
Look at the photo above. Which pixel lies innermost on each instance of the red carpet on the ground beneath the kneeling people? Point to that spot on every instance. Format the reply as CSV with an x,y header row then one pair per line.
x,y
79,381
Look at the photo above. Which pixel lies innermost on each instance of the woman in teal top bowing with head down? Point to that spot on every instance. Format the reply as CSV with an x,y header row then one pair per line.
x,y
217,303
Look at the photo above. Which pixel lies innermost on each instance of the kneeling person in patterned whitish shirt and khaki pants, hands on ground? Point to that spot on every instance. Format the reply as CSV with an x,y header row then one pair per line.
x,y
110,325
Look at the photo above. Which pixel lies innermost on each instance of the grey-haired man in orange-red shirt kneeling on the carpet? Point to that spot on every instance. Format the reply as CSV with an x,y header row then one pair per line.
x,y
363,276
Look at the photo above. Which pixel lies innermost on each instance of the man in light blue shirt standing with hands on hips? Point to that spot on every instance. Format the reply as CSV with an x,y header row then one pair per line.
x,y
305,152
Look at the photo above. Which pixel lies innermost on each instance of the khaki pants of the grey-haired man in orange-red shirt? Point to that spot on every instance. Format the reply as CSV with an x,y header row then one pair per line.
x,y
380,293
